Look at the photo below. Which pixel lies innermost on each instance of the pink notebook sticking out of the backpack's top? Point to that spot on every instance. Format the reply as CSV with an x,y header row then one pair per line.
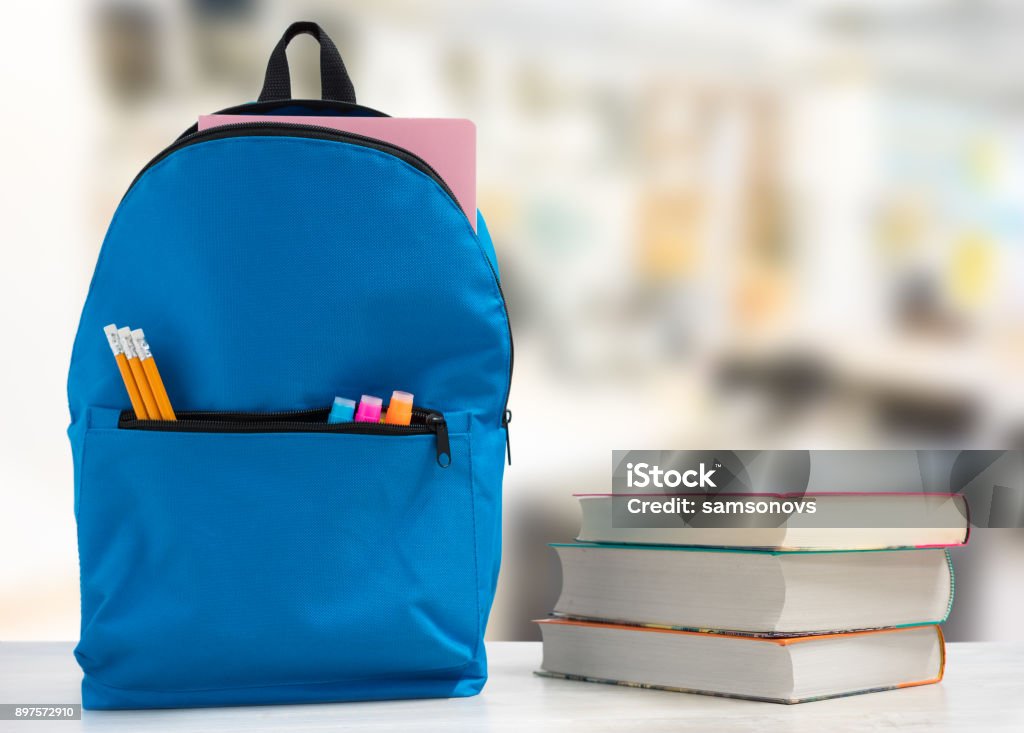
x,y
449,146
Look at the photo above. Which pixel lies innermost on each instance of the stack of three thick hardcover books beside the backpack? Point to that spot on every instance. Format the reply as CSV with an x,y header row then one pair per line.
x,y
785,615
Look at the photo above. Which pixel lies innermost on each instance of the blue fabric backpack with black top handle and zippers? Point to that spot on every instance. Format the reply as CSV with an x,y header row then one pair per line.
x,y
250,552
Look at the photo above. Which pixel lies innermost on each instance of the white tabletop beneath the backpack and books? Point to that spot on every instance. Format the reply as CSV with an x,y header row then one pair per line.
x,y
984,691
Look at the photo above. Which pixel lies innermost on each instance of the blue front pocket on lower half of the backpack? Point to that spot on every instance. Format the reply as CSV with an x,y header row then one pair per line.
x,y
235,558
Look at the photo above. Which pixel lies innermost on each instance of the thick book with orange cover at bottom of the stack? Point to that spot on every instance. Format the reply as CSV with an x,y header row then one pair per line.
x,y
787,670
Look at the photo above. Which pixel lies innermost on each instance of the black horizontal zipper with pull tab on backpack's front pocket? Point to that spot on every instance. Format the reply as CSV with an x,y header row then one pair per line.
x,y
425,422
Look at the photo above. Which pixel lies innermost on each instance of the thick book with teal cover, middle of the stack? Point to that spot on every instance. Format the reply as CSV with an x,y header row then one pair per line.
x,y
750,592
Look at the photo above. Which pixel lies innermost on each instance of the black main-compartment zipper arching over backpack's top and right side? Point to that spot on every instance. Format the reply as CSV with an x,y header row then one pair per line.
x,y
282,130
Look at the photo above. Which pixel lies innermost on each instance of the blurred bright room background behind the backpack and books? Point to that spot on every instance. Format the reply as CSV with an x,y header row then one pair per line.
x,y
723,224
